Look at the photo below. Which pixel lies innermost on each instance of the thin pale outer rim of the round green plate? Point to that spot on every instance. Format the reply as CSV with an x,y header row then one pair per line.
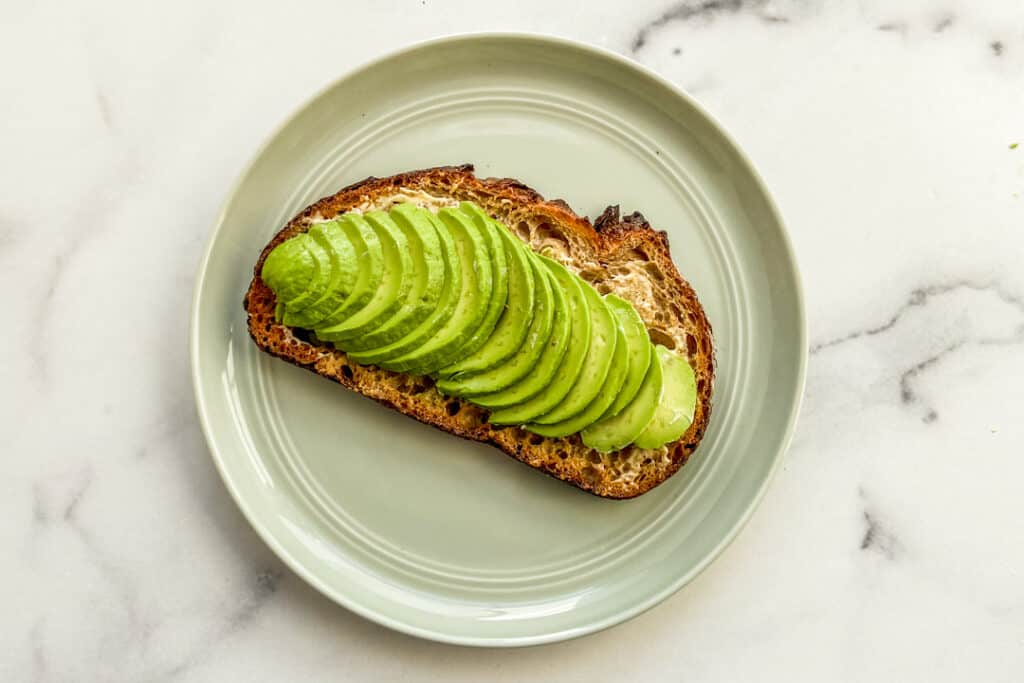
x,y
630,612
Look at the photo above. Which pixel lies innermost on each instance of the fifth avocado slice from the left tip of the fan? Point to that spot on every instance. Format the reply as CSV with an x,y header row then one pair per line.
x,y
396,283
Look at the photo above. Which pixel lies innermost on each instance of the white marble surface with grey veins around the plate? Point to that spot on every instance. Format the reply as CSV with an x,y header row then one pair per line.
x,y
890,547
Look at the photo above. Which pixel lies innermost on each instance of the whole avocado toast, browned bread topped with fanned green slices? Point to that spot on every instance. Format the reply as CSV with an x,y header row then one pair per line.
x,y
486,321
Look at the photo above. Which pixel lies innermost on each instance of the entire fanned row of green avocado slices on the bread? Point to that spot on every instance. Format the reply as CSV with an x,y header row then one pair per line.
x,y
457,296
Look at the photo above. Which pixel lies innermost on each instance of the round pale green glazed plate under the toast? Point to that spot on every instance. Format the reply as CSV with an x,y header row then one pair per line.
x,y
454,541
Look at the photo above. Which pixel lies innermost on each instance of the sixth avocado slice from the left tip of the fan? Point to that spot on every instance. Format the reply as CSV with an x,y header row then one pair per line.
x,y
429,278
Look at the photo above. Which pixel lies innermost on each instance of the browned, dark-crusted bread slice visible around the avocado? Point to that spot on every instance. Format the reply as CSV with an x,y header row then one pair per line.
x,y
618,254
